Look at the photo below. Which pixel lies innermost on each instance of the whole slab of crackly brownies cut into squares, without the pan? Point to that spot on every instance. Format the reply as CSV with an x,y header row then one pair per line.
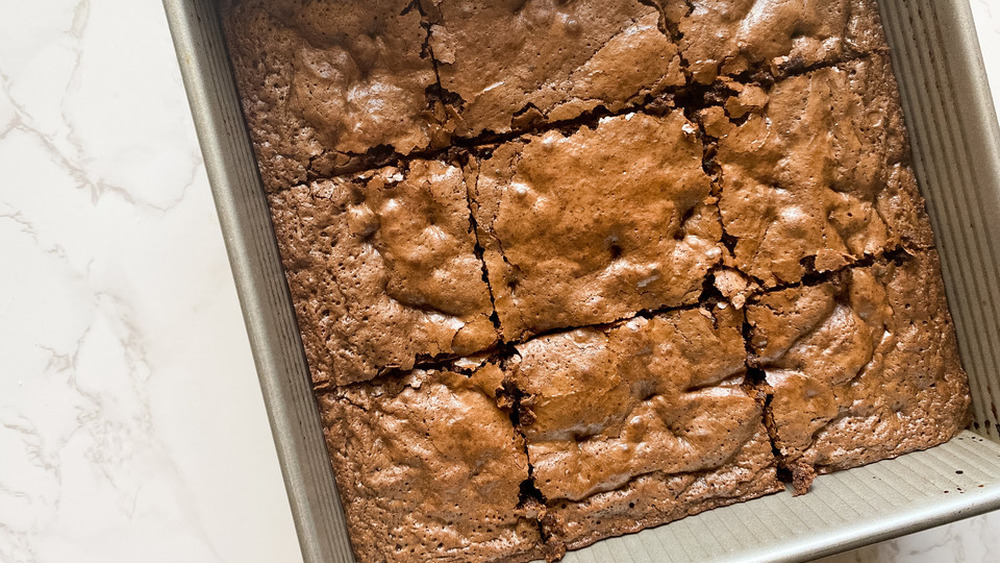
x,y
596,164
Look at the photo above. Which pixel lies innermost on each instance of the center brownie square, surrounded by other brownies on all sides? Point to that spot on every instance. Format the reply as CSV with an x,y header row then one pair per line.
x,y
592,226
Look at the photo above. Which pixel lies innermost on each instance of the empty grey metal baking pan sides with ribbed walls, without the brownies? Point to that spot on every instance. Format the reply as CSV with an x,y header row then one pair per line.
x,y
956,146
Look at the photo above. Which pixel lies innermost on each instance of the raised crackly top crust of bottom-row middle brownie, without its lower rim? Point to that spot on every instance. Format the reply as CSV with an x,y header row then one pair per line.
x,y
603,406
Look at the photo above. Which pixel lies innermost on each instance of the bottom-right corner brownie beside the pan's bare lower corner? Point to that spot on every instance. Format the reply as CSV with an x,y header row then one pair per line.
x,y
862,367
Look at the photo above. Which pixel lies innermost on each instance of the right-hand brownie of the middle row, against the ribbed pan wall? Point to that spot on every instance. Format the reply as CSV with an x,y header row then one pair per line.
x,y
815,174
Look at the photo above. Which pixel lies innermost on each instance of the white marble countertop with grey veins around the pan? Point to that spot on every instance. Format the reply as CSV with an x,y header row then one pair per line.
x,y
131,424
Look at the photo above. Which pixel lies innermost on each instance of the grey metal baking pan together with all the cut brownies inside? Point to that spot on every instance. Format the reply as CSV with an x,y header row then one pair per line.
x,y
610,280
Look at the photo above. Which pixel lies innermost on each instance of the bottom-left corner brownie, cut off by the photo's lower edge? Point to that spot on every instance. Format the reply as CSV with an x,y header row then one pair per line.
x,y
430,468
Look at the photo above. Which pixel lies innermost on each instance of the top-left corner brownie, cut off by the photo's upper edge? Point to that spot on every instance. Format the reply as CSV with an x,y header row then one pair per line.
x,y
325,82
